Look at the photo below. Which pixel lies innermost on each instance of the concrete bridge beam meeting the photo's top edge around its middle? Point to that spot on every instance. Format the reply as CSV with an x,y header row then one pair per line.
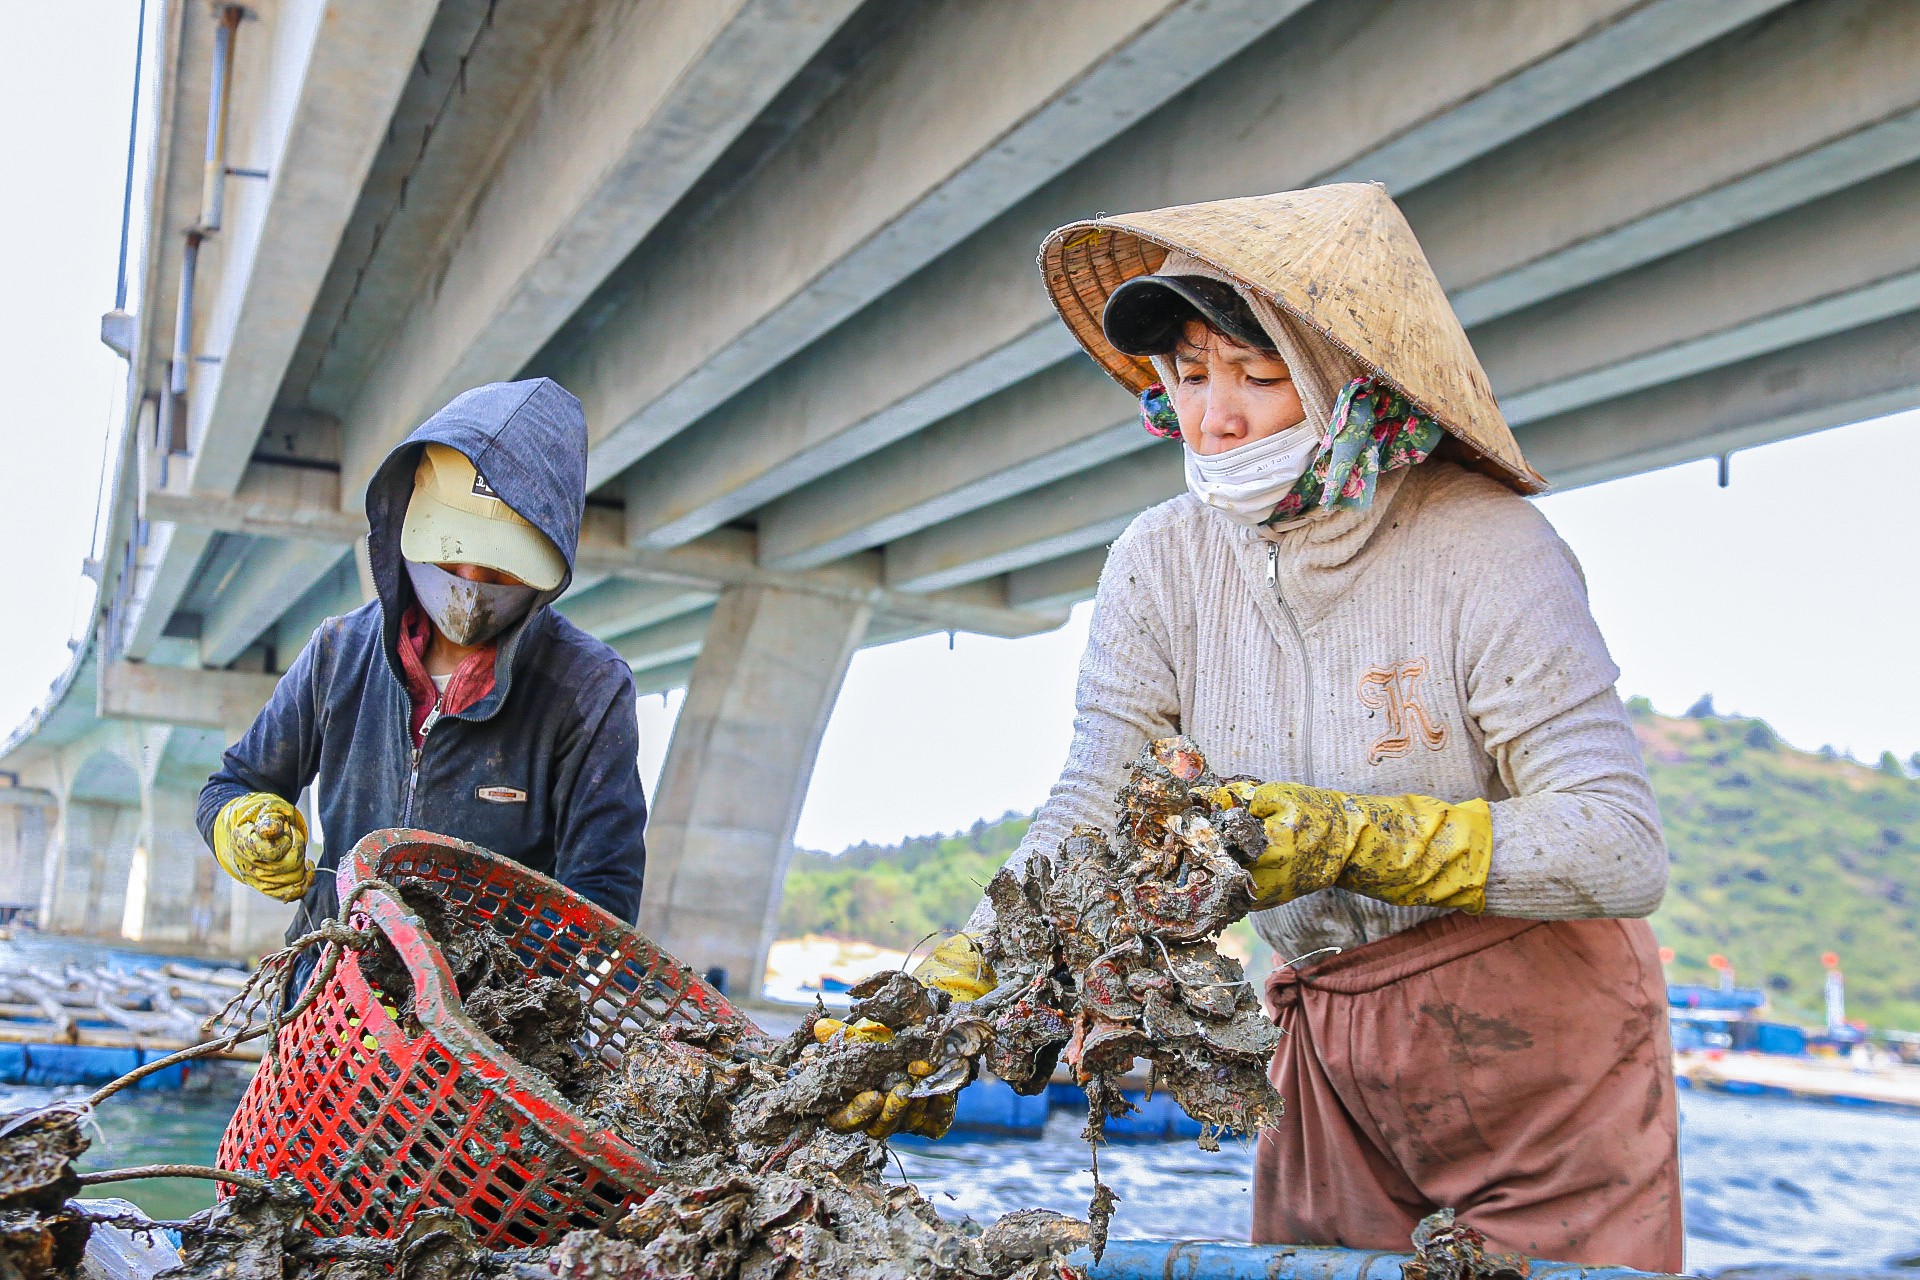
x,y
963,114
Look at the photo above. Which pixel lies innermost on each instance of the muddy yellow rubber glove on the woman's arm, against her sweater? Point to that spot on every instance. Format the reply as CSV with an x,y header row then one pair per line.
x,y
1410,851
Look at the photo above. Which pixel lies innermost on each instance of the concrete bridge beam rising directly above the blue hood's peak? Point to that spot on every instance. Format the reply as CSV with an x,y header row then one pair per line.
x,y
642,105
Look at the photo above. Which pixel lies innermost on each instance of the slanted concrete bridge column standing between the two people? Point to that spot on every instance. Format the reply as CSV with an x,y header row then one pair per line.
x,y
736,774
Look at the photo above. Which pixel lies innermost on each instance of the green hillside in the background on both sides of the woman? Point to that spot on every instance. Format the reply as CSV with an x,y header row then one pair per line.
x,y
1779,855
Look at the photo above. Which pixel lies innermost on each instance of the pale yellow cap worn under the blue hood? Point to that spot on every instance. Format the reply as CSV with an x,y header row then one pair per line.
x,y
454,517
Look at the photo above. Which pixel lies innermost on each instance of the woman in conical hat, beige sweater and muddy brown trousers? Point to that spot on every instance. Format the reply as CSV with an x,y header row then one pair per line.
x,y
1356,605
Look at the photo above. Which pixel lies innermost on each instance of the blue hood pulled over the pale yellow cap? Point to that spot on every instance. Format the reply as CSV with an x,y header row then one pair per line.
x,y
531,444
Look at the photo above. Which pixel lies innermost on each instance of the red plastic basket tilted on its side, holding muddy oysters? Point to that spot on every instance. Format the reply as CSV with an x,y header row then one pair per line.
x,y
379,1126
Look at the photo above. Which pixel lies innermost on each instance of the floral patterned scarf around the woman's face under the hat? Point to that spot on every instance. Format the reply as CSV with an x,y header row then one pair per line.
x,y
1374,431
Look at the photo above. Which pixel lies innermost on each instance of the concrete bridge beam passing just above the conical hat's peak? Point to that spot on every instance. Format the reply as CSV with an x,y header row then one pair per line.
x,y
974,321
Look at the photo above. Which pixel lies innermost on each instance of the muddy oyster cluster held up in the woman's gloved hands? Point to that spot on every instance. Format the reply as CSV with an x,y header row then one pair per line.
x,y
1107,955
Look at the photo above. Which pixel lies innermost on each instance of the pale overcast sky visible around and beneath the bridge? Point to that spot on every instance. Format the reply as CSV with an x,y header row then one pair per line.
x,y
1788,596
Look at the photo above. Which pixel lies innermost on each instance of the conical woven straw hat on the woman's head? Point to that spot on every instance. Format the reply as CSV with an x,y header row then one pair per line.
x,y
1341,260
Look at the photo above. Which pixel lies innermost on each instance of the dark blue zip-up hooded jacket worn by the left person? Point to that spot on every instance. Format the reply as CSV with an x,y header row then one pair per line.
x,y
560,724
